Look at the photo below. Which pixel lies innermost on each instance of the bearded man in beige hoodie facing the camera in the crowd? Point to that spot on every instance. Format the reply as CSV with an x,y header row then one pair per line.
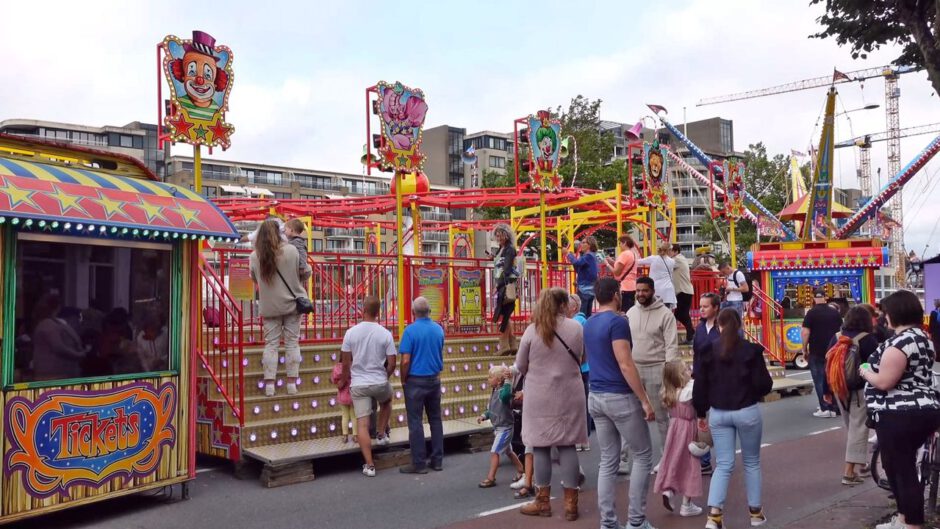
x,y
655,342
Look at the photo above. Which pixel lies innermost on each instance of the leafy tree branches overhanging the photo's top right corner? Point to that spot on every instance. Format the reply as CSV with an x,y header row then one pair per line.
x,y
866,25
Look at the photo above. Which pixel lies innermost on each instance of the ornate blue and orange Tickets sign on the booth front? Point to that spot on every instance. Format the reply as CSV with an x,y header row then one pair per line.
x,y
67,438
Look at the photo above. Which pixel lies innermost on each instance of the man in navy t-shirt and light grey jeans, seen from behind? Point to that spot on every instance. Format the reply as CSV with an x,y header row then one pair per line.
x,y
619,405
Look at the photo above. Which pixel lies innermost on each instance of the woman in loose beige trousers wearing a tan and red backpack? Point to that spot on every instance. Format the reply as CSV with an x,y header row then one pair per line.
x,y
856,327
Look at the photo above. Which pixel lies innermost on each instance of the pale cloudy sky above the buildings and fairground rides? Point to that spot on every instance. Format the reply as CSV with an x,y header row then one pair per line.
x,y
301,69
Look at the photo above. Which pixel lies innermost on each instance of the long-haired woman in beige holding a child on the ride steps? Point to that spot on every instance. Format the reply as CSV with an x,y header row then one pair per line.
x,y
275,269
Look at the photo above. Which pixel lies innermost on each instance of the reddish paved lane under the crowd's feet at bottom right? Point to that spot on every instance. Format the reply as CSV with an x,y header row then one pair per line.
x,y
801,489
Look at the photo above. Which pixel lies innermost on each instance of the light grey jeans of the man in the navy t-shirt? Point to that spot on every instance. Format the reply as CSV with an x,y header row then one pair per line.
x,y
619,416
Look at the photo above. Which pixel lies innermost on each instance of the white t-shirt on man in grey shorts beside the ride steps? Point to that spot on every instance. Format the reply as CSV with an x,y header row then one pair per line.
x,y
369,344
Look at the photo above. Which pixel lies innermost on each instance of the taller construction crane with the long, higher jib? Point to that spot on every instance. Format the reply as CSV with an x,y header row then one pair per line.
x,y
892,94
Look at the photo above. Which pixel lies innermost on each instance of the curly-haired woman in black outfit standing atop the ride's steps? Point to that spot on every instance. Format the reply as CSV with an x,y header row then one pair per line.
x,y
507,290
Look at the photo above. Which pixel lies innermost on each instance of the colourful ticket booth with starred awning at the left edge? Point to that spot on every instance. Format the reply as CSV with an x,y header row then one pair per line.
x,y
99,321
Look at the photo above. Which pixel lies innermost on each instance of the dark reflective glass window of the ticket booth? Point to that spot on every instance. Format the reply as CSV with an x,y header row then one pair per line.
x,y
90,308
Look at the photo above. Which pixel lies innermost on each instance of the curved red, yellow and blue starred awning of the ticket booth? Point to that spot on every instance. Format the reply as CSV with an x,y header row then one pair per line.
x,y
68,193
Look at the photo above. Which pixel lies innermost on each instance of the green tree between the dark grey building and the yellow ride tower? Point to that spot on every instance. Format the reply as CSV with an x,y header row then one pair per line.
x,y
766,181
